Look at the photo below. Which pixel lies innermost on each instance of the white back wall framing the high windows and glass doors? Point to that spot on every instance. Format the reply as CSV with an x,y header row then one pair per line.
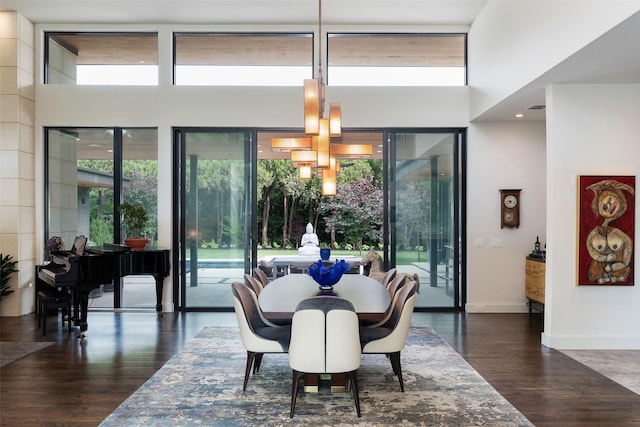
x,y
165,105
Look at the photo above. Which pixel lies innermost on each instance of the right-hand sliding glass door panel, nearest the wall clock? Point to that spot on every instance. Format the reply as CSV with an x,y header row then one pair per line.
x,y
424,210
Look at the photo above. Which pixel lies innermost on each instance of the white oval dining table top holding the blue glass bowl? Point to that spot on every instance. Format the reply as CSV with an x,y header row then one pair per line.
x,y
281,296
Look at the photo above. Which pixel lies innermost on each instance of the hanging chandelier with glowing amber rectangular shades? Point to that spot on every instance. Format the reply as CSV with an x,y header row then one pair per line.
x,y
316,151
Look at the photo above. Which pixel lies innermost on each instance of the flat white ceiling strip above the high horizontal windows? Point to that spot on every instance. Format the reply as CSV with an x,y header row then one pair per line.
x,y
349,12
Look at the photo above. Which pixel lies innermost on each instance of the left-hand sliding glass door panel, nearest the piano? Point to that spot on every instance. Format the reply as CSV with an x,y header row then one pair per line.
x,y
213,203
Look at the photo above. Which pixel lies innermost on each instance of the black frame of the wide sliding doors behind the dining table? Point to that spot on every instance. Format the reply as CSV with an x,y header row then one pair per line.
x,y
251,229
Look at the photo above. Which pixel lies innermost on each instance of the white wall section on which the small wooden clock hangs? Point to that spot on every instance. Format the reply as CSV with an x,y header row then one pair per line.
x,y
505,155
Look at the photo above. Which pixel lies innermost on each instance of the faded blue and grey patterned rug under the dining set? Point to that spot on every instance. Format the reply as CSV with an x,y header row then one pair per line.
x,y
202,385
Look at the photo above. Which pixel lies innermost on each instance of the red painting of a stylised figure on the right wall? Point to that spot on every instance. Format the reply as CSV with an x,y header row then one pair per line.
x,y
606,211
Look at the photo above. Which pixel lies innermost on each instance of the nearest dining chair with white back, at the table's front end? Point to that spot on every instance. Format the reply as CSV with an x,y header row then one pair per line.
x,y
324,340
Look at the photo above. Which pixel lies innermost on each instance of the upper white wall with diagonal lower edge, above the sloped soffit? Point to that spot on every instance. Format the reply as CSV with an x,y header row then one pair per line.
x,y
511,43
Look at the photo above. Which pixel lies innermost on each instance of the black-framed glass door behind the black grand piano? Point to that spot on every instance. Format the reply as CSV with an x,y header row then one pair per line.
x,y
89,172
